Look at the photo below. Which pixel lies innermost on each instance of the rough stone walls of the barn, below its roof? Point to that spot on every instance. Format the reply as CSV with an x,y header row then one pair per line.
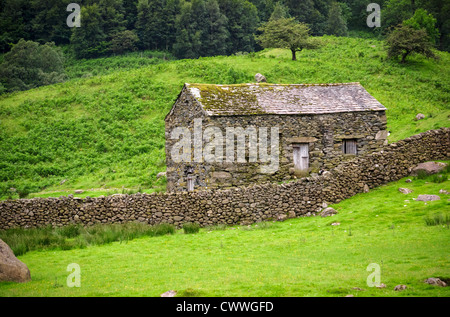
x,y
324,134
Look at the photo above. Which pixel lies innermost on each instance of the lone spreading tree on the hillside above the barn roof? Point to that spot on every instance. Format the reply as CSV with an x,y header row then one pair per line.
x,y
286,33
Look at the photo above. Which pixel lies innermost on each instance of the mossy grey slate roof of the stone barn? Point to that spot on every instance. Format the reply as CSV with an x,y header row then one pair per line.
x,y
263,98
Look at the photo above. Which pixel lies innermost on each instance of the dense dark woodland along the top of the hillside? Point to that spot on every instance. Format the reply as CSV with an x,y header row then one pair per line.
x,y
194,28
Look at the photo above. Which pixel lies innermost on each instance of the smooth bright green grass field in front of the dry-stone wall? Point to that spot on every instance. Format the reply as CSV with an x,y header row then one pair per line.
x,y
298,257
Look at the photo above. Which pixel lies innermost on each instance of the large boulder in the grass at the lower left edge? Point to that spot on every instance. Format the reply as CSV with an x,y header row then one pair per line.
x,y
11,268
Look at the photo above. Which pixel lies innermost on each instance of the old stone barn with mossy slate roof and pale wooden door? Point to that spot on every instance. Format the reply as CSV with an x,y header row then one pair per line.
x,y
220,136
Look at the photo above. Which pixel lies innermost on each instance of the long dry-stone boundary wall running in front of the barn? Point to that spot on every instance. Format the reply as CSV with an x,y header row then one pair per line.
x,y
240,205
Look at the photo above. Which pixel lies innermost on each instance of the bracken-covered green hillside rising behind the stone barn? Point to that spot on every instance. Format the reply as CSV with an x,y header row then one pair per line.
x,y
104,129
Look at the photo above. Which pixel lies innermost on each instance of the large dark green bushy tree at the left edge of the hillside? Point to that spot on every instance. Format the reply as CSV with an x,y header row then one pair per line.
x,y
29,65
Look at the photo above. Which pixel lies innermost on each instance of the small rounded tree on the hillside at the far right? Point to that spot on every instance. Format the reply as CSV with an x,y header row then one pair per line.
x,y
404,40
